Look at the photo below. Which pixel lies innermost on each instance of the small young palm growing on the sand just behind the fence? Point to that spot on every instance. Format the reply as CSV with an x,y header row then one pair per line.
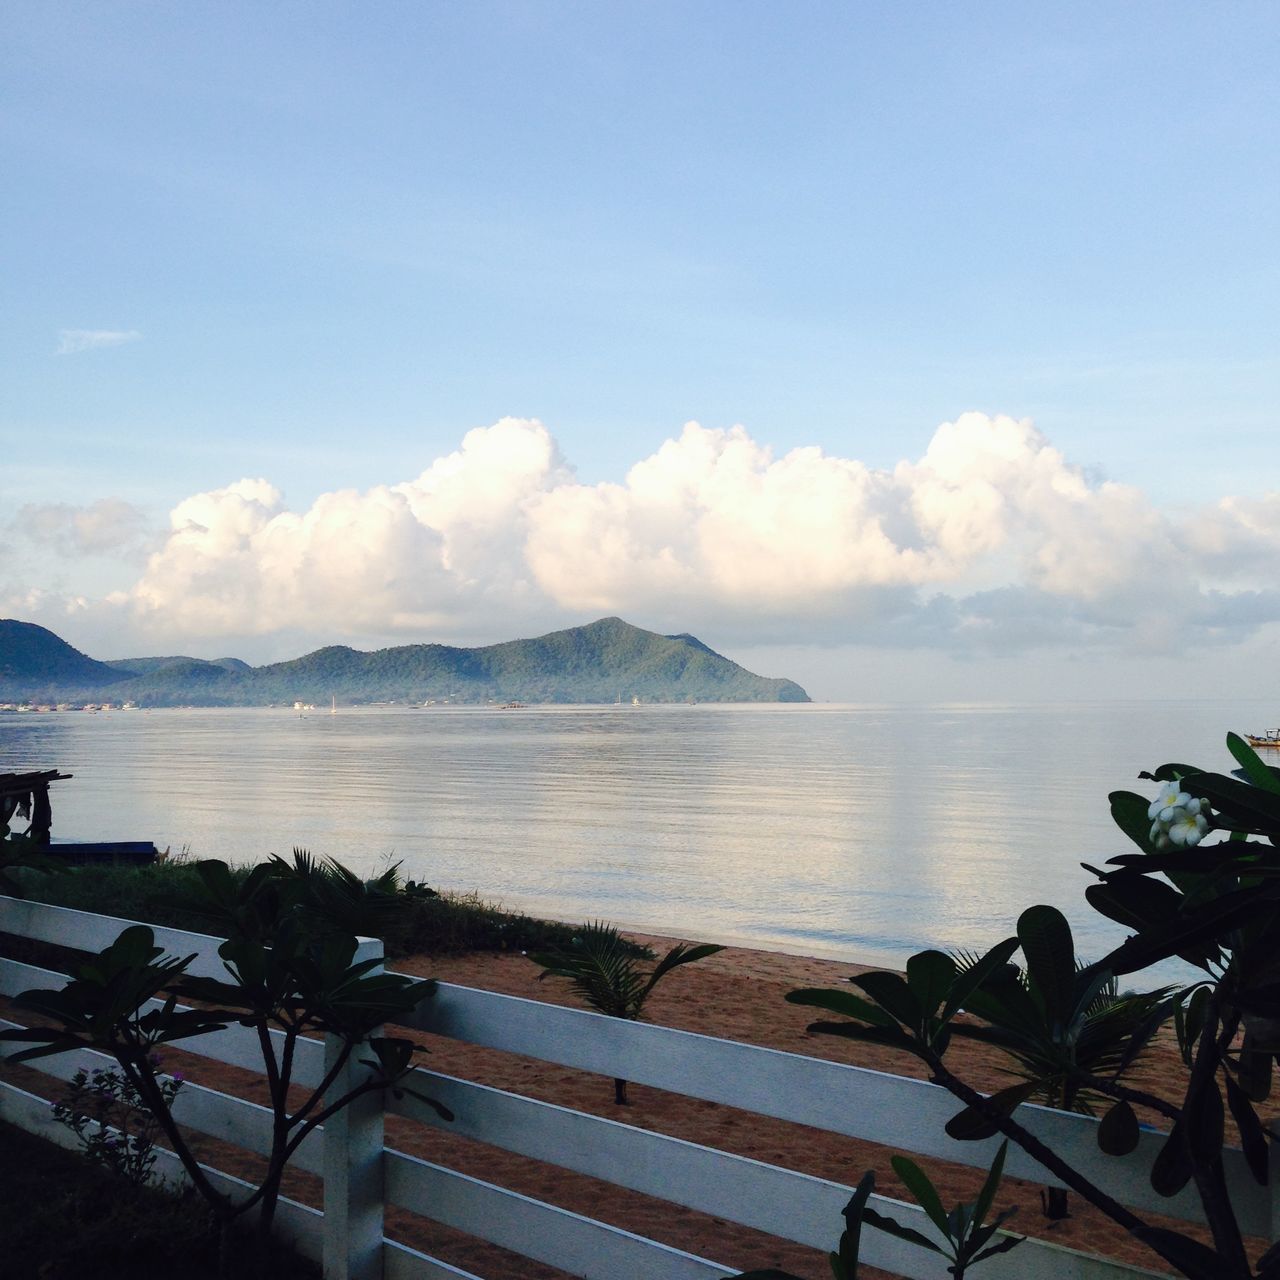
x,y
605,971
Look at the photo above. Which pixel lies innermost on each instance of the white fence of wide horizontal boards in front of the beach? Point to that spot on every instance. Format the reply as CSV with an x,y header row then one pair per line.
x,y
362,1176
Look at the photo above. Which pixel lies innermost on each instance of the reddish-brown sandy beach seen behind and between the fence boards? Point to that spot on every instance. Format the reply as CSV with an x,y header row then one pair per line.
x,y
739,995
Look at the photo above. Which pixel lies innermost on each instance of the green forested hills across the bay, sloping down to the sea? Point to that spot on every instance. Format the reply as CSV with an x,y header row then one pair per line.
x,y
604,662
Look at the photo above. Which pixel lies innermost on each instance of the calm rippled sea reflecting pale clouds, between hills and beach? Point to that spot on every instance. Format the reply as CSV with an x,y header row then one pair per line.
x,y
861,831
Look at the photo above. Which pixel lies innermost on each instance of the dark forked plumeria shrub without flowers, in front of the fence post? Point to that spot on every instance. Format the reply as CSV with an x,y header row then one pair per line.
x,y
289,973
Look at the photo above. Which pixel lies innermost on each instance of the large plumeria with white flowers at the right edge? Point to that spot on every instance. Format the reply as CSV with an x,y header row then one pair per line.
x,y
1214,904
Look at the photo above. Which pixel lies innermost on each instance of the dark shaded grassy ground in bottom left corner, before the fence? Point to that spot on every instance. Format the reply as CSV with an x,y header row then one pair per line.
x,y
65,1219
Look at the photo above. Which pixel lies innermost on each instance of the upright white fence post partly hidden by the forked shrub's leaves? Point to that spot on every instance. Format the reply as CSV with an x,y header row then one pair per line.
x,y
354,1168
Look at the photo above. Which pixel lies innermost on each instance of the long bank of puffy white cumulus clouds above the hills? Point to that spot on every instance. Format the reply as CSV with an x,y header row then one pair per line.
x,y
991,541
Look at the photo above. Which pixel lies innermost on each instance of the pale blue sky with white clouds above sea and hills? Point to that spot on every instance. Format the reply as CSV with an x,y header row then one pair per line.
x,y
916,353
